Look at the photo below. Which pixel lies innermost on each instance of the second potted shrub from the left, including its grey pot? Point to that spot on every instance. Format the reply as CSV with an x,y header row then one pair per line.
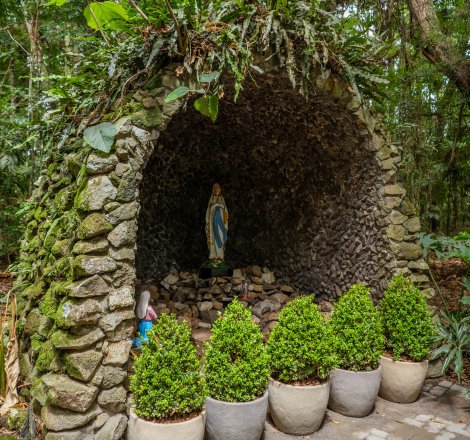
x,y
237,375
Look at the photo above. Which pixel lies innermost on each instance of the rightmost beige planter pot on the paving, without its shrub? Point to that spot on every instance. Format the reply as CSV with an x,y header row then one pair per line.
x,y
402,381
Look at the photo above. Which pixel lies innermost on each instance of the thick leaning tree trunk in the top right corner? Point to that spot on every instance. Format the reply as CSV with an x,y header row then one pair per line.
x,y
436,47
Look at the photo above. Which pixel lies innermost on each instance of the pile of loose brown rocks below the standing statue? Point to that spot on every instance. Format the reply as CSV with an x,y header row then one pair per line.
x,y
199,301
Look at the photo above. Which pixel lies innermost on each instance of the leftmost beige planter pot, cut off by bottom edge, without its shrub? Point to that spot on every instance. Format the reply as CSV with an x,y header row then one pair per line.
x,y
140,429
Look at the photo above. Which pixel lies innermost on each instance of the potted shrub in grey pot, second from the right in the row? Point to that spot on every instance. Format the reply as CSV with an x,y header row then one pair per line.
x,y
358,345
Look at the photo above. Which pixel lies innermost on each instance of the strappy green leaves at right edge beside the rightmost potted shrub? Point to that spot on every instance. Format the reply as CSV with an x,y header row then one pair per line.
x,y
453,340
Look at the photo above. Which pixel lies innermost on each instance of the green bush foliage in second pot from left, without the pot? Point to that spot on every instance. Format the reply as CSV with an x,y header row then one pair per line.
x,y
236,362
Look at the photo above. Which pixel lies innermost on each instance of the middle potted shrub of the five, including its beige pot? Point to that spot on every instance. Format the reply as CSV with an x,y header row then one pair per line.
x,y
299,350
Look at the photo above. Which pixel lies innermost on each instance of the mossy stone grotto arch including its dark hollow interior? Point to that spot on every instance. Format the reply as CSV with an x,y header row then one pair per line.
x,y
76,305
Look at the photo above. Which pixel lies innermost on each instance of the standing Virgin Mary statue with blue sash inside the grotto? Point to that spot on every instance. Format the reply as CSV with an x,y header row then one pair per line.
x,y
216,225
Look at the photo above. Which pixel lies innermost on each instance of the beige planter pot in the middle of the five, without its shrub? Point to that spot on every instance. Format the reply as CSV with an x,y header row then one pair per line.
x,y
298,409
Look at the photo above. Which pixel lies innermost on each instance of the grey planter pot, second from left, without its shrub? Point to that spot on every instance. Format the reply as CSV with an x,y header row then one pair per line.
x,y
235,421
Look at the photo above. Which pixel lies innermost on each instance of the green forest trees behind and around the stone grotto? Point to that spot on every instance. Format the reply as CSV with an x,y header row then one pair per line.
x,y
61,60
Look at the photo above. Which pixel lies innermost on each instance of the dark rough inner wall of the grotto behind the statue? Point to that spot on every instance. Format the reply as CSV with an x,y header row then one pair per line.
x,y
292,172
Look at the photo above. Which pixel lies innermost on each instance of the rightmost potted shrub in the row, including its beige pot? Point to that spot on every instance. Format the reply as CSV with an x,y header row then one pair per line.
x,y
408,336
